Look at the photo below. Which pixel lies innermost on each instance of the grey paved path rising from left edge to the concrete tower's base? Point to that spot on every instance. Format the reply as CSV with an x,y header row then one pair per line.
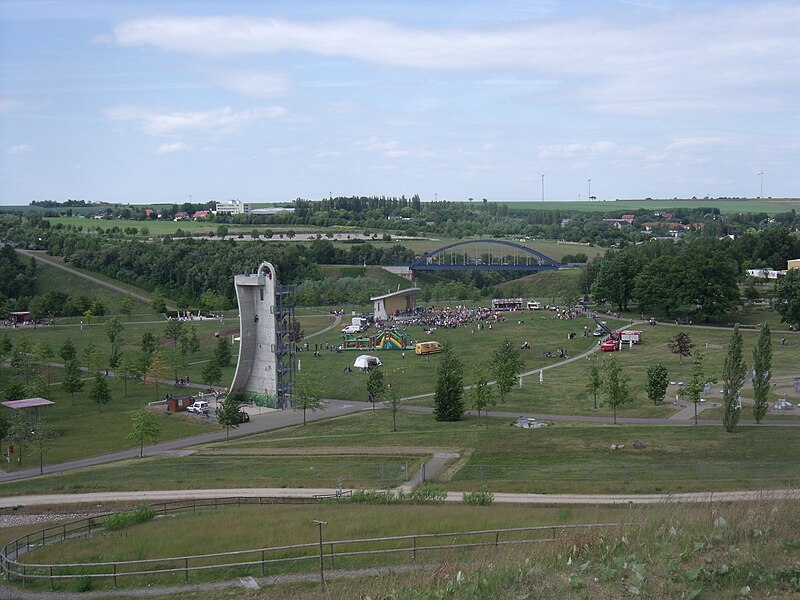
x,y
258,424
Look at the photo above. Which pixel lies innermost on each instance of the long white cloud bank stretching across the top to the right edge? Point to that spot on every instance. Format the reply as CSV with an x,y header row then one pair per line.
x,y
718,57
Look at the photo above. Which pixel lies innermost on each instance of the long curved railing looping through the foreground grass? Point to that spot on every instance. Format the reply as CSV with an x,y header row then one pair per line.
x,y
280,558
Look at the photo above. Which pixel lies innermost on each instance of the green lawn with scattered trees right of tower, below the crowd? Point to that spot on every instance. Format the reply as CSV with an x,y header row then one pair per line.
x,y
563,389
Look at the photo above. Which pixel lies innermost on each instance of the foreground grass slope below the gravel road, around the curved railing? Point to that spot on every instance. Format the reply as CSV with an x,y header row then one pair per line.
x,y
713,550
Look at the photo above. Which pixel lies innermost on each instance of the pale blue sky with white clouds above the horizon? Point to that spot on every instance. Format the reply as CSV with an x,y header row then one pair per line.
x,y
138,101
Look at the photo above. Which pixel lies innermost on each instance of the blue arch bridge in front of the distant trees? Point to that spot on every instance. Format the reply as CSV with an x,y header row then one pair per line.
x,y
484,255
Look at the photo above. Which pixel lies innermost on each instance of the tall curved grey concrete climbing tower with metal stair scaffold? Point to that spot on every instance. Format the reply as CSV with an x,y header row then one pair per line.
x,y
266,325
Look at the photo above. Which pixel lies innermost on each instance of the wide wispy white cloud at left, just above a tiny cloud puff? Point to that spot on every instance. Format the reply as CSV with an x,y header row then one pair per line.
x,y
217,121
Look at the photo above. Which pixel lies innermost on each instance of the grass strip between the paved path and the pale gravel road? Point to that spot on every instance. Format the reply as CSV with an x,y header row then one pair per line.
x,y
360,451
